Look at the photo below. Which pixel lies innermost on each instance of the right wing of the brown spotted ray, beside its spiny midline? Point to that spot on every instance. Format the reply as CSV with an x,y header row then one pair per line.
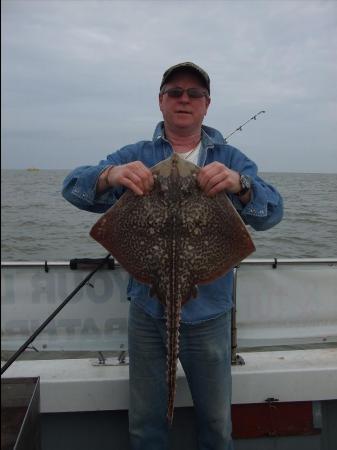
x,y
214,237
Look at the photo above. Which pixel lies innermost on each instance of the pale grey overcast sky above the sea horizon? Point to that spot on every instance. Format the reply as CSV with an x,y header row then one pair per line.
x,y
80,79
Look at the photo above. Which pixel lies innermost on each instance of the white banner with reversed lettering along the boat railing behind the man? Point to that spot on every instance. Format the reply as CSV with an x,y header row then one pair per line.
x,y
279,302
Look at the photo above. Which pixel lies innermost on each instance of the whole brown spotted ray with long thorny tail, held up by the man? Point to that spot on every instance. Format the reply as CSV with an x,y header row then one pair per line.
x,y
173,239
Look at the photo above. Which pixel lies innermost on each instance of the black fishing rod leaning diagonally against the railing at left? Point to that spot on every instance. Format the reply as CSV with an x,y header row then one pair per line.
x,y
51,317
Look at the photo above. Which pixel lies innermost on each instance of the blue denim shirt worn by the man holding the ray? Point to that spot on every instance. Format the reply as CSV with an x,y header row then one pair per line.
x,y
264,210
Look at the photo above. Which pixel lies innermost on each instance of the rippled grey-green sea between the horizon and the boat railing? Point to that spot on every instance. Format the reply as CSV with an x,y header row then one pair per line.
x,y
38,224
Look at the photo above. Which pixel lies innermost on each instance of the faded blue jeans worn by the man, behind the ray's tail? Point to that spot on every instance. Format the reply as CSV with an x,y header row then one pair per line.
x,y
205,354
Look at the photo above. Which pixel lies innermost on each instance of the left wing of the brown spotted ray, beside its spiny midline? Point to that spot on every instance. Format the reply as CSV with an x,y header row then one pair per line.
x,y
133,231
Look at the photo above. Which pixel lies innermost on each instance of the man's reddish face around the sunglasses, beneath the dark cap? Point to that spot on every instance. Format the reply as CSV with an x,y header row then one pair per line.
x,y
184,114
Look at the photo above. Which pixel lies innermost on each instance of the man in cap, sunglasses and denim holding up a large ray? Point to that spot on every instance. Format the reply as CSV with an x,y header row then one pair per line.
x,y
204,349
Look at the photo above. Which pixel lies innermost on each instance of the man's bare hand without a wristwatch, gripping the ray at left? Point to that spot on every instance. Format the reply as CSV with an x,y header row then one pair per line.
x,y
135,176
